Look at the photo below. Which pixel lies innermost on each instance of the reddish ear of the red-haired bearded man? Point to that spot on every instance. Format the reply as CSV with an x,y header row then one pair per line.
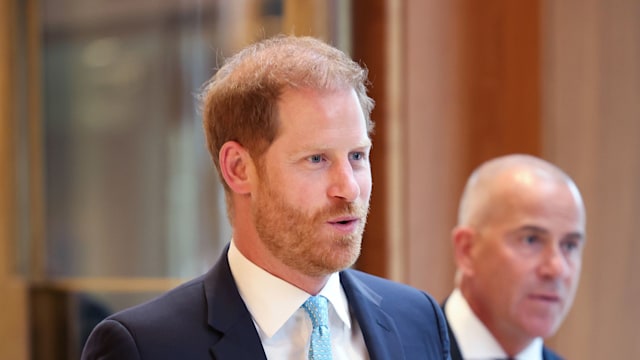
x,y
236,167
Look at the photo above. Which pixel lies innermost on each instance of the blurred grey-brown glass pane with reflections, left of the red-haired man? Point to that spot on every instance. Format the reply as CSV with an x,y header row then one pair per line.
x,y
131,190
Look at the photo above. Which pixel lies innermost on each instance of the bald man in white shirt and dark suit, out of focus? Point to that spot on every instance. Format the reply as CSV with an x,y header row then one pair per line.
x,y
518,251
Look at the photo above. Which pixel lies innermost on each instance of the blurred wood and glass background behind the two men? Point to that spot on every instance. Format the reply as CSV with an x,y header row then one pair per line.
x,y
108,196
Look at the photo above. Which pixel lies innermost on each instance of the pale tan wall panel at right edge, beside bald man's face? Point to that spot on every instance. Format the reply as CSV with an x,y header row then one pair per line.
x,y
592,124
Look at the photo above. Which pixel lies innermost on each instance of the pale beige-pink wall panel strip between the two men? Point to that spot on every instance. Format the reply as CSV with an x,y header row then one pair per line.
x,y
434,147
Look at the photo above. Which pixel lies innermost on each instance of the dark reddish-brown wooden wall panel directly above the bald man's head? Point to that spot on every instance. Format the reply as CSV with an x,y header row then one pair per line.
x,y
500,67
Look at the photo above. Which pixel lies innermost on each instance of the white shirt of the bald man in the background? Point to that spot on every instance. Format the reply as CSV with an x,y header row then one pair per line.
x,y
474,339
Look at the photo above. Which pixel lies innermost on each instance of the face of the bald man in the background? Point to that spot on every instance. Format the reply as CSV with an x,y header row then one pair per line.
x,y
524,260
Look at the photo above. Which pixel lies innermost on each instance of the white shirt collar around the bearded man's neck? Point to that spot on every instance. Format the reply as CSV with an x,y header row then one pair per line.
x,y
271,300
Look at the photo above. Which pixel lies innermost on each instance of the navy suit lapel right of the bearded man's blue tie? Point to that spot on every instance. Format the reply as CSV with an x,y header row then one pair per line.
x,y
378,328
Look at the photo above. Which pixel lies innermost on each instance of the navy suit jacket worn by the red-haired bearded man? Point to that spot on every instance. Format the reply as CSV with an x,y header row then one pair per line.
x,y
206,318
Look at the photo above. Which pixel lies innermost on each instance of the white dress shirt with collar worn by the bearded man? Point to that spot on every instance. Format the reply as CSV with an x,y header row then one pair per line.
x,y
283,326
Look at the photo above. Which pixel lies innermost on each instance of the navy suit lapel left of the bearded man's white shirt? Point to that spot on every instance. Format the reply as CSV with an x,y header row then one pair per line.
x,y
236,335
